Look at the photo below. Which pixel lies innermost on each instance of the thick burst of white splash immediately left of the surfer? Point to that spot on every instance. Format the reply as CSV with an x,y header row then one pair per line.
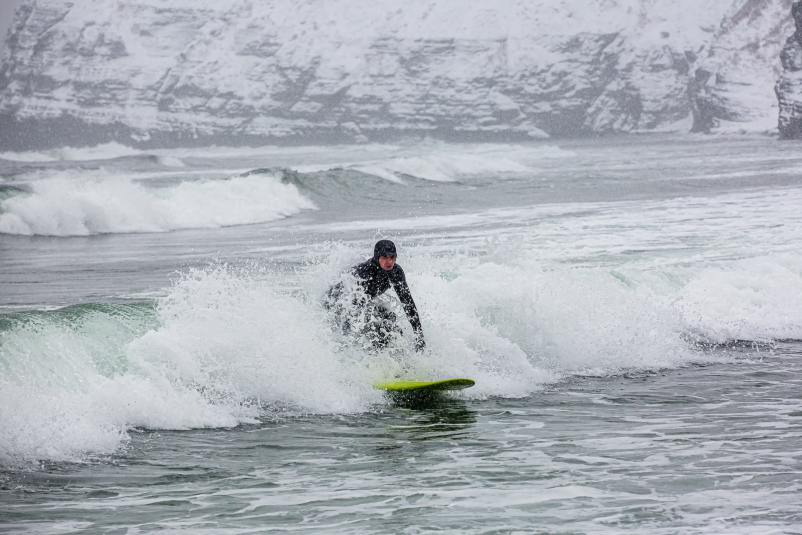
x,y
235,332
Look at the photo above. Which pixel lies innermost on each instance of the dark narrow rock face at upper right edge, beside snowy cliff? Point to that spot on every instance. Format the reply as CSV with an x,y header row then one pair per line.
x,y
789,87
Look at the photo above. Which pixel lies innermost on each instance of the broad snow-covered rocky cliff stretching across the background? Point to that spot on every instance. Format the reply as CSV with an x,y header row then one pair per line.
x,y
180,72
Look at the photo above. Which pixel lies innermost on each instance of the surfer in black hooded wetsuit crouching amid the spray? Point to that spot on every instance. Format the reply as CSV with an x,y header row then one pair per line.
x,y
364,315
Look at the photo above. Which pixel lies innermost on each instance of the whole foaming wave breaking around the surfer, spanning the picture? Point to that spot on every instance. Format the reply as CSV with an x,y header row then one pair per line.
x,y
231,345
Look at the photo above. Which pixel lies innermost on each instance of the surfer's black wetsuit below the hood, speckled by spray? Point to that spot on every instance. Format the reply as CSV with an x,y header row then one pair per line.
x,y
374,281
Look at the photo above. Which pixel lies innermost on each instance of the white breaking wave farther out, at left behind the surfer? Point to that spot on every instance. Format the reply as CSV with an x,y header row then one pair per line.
x,y
69,205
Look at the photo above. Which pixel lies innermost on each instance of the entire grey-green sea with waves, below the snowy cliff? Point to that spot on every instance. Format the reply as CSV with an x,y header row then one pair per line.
x,y
631,311
